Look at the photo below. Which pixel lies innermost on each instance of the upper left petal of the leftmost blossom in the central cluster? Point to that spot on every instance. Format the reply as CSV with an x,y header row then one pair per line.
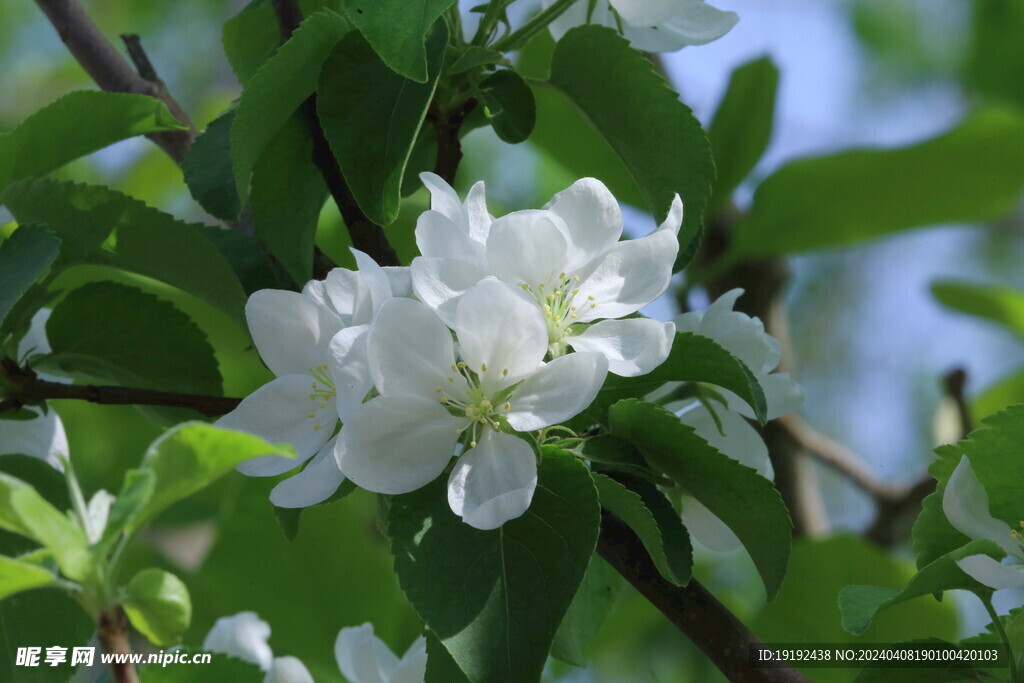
x,y
291,331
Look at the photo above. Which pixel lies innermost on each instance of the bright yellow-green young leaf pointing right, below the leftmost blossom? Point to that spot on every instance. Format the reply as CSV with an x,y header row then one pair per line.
x,y
193,456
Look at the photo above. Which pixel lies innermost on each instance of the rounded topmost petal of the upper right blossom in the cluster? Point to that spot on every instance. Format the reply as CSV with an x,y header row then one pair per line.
x,y
592,218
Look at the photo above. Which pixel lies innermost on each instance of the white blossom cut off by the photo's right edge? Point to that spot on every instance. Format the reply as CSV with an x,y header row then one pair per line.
x,y
966,506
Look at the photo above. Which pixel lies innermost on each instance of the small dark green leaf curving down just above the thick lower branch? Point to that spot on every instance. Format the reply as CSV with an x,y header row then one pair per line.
x,y
651,515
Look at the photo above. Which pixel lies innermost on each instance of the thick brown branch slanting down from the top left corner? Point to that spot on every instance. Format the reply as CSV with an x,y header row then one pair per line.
x,y
112,72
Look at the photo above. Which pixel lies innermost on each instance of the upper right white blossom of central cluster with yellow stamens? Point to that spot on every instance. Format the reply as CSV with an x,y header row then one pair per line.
x,y
567,258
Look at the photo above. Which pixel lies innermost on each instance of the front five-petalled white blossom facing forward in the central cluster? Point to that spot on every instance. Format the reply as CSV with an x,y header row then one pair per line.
x,y
435,395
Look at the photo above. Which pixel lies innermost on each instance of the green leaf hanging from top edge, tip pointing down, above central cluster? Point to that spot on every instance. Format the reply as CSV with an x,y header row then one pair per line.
x,y
398,31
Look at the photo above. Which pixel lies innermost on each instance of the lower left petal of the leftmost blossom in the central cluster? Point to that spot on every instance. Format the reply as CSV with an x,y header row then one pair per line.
x,y
278,412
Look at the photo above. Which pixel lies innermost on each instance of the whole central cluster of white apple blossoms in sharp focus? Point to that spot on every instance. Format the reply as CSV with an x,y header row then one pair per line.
x,y
503,327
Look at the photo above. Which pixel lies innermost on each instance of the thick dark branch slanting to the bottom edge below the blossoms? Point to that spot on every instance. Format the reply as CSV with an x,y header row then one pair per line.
x,y
718,633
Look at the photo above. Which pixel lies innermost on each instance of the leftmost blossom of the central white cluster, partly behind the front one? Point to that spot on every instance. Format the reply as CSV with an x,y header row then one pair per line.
x,y
315,343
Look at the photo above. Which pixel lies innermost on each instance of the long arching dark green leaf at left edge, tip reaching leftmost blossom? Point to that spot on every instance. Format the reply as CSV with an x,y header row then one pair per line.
x,y
101,227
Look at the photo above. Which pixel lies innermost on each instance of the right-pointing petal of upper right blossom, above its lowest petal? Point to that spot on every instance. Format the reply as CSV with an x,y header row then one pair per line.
x,y
629,277
